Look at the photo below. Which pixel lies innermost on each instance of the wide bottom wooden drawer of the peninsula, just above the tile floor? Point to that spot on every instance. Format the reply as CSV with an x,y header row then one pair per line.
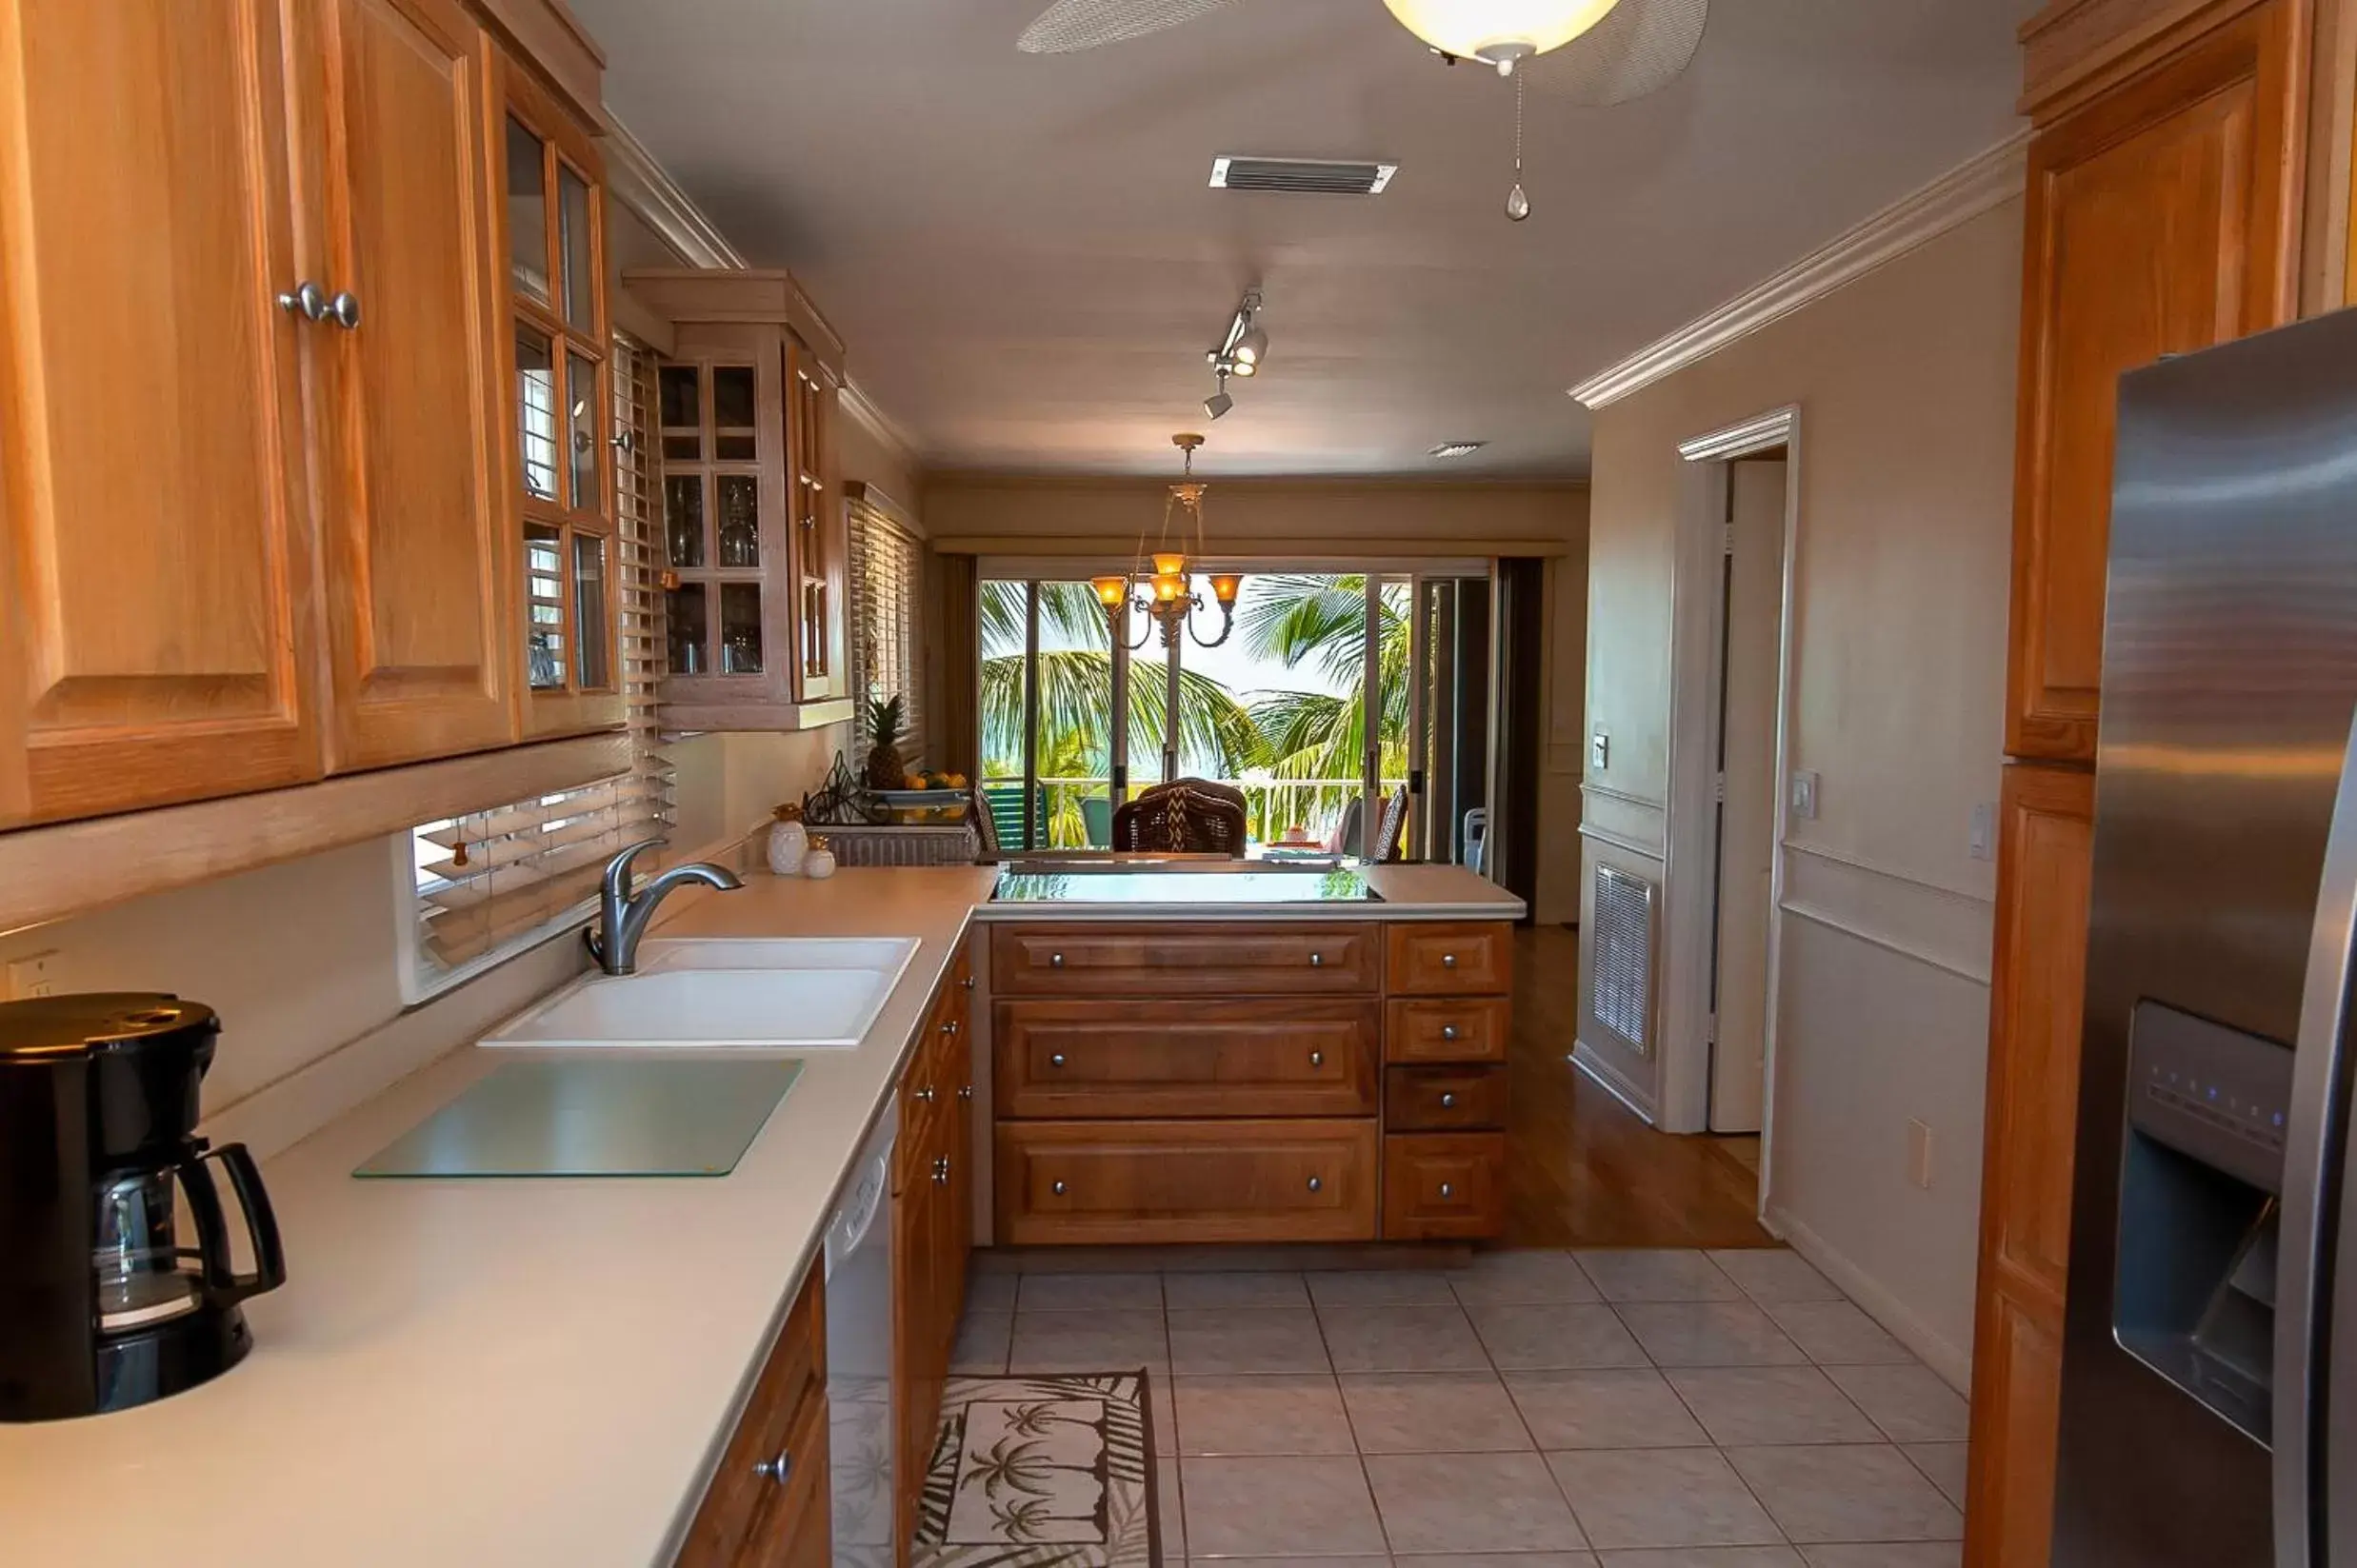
x,y
1187,1182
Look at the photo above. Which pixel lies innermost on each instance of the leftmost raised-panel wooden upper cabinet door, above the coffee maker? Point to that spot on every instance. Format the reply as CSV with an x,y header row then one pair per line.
x,y
154,553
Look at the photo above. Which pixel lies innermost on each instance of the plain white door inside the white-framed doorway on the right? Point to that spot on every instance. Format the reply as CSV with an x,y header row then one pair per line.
x,y
1748,812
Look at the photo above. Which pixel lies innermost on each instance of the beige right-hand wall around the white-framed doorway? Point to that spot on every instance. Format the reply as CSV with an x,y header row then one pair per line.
x,y
1899,645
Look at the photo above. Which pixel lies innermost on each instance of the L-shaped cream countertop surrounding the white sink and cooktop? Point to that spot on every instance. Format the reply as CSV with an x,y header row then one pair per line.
x,y
536,1371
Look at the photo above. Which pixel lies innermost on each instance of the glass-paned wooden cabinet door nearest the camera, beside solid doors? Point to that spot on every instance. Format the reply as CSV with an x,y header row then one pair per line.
x,y
562,409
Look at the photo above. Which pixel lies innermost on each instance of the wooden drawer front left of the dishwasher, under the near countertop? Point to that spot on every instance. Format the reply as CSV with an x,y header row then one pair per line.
x,y
788,1402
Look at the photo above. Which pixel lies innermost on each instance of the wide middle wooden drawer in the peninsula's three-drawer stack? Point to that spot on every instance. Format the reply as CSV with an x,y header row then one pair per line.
x,y
1168,1060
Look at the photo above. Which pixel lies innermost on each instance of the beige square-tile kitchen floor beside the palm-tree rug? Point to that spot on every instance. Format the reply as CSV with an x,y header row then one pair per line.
x,y
1533,1411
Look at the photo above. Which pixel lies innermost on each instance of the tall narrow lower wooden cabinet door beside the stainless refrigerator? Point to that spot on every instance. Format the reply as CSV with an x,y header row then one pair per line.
x,y
2040,973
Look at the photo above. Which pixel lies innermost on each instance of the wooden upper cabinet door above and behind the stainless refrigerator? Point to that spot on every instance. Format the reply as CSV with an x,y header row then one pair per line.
x,y
2163,218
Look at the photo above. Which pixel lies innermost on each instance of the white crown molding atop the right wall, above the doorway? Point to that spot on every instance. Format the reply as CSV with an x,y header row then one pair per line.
x,y
1910,223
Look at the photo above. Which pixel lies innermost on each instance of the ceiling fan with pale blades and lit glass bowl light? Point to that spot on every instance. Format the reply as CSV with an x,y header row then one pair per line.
x,y
1604,51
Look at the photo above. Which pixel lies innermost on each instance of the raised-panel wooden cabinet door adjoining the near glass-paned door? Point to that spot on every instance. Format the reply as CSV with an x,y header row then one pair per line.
x,y
414,553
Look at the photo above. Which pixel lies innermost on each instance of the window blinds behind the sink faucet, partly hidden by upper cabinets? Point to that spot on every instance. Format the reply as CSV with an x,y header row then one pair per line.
x,y
496,883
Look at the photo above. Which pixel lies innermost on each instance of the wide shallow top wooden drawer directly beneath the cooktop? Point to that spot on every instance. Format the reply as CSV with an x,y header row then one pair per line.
x,y
1184,961
